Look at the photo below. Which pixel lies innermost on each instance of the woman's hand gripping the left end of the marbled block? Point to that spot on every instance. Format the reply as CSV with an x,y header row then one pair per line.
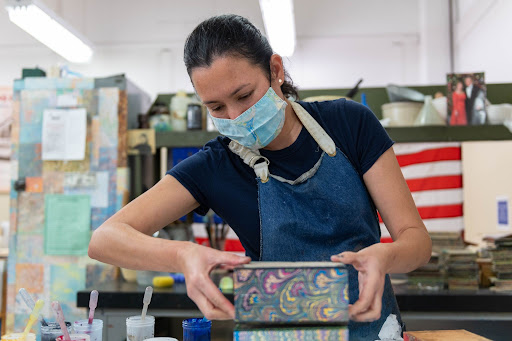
x,y
197,263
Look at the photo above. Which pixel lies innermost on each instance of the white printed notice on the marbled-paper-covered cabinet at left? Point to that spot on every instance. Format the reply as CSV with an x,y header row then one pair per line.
x,y
64,134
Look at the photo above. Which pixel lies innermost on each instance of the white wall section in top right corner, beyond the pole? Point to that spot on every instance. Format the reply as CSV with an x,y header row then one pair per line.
x,y
482,38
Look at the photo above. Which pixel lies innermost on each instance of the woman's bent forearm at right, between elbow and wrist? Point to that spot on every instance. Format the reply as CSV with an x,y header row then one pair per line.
x,y
409,251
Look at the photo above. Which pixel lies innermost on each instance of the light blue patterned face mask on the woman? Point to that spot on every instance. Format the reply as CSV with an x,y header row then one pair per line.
x,y
257,126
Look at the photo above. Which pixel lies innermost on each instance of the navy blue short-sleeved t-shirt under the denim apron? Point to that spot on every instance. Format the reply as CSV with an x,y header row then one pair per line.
x,y
218,179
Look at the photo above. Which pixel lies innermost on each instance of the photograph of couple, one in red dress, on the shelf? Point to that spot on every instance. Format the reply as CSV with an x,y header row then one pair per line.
x,y
466,97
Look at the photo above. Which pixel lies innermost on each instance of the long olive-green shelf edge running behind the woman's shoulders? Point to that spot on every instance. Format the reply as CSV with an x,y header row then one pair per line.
x,y
398,134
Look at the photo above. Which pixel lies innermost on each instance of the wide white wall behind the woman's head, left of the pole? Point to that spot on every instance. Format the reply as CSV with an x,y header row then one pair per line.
x,y
339,41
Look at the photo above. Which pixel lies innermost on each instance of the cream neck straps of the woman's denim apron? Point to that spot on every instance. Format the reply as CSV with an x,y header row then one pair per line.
x,y
251,157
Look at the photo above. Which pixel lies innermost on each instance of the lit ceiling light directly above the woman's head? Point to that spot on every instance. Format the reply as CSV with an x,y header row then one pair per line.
x,y
279,23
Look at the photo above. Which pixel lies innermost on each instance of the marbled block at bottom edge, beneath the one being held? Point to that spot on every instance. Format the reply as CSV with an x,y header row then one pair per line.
x,y
295,333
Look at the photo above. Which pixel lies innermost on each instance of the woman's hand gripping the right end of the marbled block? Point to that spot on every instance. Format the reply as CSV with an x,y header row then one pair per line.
x,y
370,264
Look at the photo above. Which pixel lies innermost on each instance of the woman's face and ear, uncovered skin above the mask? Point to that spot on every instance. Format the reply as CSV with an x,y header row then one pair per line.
x,y
232,84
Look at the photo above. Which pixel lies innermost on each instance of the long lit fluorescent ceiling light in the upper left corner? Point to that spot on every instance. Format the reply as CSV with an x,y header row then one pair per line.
x,y
47,27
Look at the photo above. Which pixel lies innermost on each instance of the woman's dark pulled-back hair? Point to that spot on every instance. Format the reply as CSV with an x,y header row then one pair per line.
x,y
231,34
